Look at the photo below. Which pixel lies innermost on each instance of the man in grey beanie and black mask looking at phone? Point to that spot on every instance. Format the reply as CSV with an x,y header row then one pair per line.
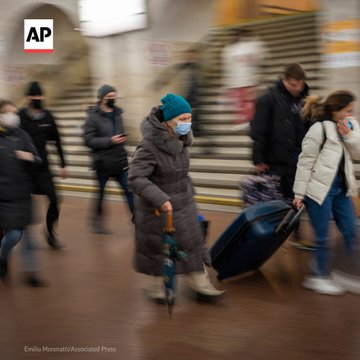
x,y
105,136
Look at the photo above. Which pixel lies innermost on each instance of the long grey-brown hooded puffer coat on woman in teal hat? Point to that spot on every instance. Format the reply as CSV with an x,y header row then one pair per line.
x,y
159,172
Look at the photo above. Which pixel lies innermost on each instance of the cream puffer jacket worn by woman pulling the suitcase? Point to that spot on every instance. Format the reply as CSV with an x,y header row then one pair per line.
x,y
319,161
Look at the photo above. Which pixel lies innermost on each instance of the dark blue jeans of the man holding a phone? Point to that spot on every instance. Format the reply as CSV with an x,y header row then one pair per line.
x,y
122,179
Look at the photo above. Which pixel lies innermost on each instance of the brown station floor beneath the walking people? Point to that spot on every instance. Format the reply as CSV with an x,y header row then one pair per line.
x,y
94,307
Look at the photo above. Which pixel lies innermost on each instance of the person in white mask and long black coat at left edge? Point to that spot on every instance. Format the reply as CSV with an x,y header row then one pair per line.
x,y
17,157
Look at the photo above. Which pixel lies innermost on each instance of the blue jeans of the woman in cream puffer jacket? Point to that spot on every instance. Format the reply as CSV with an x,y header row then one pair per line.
x,y
341,207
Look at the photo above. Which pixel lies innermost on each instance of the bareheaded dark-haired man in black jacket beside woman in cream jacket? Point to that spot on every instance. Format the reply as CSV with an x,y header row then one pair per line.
x,y
277,128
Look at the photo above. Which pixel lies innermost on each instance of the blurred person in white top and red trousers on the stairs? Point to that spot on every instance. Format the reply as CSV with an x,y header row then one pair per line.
x,y
242,62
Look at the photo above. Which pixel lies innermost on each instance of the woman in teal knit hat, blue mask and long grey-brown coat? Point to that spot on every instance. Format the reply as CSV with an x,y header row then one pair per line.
x,y
160,179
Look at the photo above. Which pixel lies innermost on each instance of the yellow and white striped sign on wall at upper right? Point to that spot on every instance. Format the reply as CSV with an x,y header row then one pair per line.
x,y
341,43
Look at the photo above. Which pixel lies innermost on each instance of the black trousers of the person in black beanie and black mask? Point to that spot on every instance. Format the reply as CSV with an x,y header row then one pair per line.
x,y
44,185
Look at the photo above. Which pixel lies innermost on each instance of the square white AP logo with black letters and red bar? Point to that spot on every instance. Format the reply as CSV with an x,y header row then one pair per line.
x,y
39,35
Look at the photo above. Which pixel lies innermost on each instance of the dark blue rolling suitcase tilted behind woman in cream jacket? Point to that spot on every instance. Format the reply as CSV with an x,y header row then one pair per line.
x,y
253,237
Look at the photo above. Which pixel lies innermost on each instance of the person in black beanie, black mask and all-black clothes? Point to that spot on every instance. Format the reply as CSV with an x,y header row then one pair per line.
x,y
40,124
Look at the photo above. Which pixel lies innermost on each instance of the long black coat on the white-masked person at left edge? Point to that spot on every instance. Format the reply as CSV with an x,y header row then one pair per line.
x,y
15,179
